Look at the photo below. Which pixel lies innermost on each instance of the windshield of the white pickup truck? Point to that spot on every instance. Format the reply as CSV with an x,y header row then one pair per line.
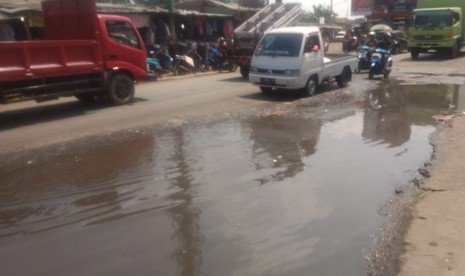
x,y
280,45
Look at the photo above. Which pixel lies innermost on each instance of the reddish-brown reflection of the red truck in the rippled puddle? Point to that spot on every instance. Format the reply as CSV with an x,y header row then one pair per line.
x,y
86,186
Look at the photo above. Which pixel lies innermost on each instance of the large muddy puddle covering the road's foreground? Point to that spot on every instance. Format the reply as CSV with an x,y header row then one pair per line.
x,y
261,195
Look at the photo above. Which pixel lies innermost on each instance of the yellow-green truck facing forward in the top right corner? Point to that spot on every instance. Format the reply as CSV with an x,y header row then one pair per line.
x,y
437,25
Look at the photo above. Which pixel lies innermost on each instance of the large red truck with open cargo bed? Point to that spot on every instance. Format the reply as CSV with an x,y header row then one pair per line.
x,y
83,54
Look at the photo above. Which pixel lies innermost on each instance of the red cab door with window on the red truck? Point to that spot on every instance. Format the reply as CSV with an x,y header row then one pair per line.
x,y
122,45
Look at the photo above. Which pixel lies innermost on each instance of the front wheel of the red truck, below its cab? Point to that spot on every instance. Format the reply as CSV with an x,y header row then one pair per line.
x,y
121,89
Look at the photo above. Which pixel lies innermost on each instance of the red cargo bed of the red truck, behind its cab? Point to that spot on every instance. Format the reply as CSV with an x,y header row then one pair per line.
x,y
48,69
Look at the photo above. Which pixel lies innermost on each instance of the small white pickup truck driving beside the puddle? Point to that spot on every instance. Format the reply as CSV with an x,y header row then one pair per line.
x,y
292,58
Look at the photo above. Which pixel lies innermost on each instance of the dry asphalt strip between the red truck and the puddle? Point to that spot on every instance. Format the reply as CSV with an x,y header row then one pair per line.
x,y
30,125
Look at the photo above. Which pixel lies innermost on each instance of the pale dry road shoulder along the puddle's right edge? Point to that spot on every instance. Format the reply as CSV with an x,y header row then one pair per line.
x,y
434,241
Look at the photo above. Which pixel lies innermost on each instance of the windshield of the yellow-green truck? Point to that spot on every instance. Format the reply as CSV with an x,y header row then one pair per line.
x,y
433,19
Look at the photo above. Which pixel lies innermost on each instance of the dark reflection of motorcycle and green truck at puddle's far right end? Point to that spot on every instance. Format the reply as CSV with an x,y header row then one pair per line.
x,y
392,109
